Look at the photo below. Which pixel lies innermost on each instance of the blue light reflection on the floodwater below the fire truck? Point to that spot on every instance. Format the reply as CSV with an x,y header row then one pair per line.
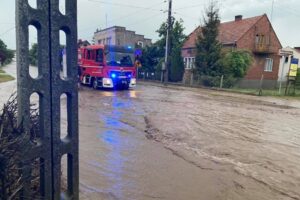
x,y
114,138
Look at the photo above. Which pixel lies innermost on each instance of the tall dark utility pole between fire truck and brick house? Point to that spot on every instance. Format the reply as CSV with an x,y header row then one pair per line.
x,y
168,42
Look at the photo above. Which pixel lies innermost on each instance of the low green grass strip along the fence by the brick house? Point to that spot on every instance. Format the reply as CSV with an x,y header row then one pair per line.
x,y
274,92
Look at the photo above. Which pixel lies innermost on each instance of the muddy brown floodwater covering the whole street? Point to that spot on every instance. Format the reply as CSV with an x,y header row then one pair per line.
x,y
178,143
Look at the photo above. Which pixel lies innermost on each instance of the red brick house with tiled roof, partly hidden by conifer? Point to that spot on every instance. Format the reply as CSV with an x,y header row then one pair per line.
x,y
255,34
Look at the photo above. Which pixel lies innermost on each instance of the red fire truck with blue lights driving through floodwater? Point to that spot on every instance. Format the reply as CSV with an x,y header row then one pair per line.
x,y
107,66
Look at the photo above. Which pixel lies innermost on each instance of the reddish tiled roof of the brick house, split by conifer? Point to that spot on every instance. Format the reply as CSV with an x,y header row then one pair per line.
x,y
229,32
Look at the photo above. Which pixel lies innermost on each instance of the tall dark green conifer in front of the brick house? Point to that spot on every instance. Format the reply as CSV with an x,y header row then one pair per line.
x,y
208,47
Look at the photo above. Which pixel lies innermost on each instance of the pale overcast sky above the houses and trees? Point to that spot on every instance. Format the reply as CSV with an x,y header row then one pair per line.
x,y
145,16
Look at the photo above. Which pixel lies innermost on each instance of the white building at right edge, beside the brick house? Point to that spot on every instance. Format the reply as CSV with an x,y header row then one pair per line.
x,y
285,63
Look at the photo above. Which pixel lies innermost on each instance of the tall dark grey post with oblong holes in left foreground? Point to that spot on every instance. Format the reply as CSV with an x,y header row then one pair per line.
x,y
49,85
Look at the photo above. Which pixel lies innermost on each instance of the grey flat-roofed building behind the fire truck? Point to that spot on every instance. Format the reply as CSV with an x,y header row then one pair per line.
x,y
118,35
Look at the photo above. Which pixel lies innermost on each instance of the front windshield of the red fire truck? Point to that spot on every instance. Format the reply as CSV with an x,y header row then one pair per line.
x,y
119,59
